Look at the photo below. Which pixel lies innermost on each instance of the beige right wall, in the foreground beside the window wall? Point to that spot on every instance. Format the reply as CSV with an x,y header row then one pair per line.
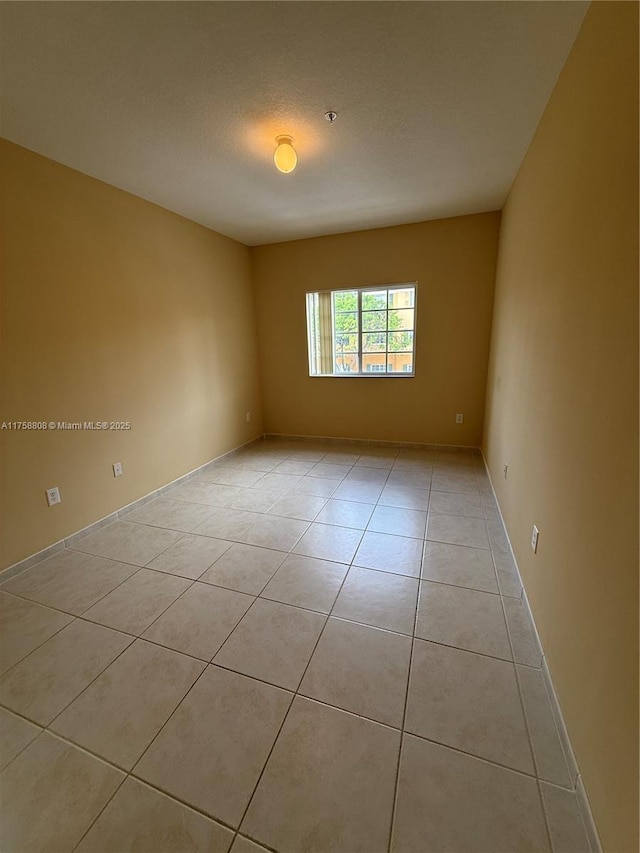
x,y
562,403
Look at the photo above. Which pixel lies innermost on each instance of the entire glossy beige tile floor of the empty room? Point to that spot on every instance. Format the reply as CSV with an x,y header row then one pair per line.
x,y
306,647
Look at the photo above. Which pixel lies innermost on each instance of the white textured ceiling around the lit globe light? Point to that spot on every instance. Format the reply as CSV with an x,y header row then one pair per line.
x,y
180,103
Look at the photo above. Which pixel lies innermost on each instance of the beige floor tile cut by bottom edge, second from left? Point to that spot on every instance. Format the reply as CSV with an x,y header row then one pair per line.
x,y
141,820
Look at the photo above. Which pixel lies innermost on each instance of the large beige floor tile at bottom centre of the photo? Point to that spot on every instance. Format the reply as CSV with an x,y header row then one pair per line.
x,y
328,785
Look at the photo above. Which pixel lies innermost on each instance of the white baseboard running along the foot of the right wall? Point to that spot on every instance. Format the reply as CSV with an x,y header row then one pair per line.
x,y
578,786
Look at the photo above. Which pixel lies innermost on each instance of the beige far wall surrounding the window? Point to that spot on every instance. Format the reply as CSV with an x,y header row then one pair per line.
x,y
453,261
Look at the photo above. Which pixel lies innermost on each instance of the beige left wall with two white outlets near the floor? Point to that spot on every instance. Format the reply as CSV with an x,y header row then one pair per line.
x,y
112,309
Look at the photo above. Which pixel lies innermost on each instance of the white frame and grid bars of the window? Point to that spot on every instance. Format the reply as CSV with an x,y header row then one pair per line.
x,y
401,374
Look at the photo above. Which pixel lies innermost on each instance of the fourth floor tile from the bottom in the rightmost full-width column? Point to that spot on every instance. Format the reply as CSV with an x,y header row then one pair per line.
x,y
460,566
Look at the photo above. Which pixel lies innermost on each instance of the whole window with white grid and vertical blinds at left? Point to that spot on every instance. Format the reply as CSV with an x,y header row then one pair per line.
x,y
364,331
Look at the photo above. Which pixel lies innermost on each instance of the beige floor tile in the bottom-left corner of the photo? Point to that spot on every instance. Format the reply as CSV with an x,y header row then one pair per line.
x,y
51,794
